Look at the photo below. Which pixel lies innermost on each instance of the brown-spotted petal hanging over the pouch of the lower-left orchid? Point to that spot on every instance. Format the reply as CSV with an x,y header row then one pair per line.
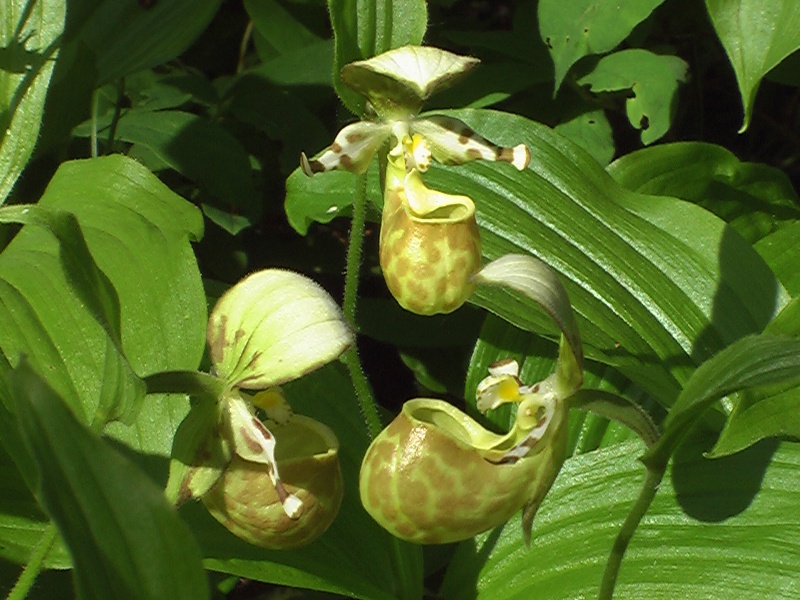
x,y
253,442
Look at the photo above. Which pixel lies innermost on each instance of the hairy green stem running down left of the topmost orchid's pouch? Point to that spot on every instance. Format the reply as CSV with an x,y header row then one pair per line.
x,y
364,394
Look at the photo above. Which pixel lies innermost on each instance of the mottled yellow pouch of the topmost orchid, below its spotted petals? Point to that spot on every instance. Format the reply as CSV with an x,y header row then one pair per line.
x,y
429,242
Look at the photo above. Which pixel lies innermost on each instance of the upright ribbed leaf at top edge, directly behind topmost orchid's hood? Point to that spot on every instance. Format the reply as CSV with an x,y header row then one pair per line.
x,y
365,28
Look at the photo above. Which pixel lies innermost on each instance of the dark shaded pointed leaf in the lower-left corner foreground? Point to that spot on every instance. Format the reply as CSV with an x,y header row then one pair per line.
x,y
124,538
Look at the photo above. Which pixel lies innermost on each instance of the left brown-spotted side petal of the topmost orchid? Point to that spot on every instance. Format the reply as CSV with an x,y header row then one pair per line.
x,y
352,150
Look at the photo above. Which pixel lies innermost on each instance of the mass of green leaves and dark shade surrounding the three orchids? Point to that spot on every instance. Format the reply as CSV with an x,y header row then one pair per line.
x,y
149,160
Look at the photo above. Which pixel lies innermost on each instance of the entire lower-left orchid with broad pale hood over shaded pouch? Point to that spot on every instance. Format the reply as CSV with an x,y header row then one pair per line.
x,y
275,483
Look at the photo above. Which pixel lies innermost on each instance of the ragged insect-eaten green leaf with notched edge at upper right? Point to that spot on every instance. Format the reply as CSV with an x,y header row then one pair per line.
x,y
653,80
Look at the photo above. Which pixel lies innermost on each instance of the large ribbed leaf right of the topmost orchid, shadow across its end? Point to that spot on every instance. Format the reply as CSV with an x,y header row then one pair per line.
x,y
658,285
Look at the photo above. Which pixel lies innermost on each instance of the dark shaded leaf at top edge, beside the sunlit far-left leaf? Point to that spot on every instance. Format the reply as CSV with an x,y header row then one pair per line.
x,y
126,37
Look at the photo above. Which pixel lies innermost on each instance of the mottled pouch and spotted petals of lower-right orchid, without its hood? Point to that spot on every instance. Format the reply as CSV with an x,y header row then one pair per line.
x,y
434,475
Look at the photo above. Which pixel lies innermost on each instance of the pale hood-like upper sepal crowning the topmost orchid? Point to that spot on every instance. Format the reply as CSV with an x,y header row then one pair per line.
x,y
397,82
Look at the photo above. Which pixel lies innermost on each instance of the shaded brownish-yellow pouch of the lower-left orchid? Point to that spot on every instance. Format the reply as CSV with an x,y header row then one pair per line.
x,y
246,500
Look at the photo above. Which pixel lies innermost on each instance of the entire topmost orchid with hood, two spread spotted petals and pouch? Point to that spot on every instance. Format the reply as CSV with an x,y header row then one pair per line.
x,y
430,246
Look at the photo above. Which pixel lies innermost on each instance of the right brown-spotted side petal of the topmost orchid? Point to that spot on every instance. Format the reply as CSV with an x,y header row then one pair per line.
x,y
452,142
